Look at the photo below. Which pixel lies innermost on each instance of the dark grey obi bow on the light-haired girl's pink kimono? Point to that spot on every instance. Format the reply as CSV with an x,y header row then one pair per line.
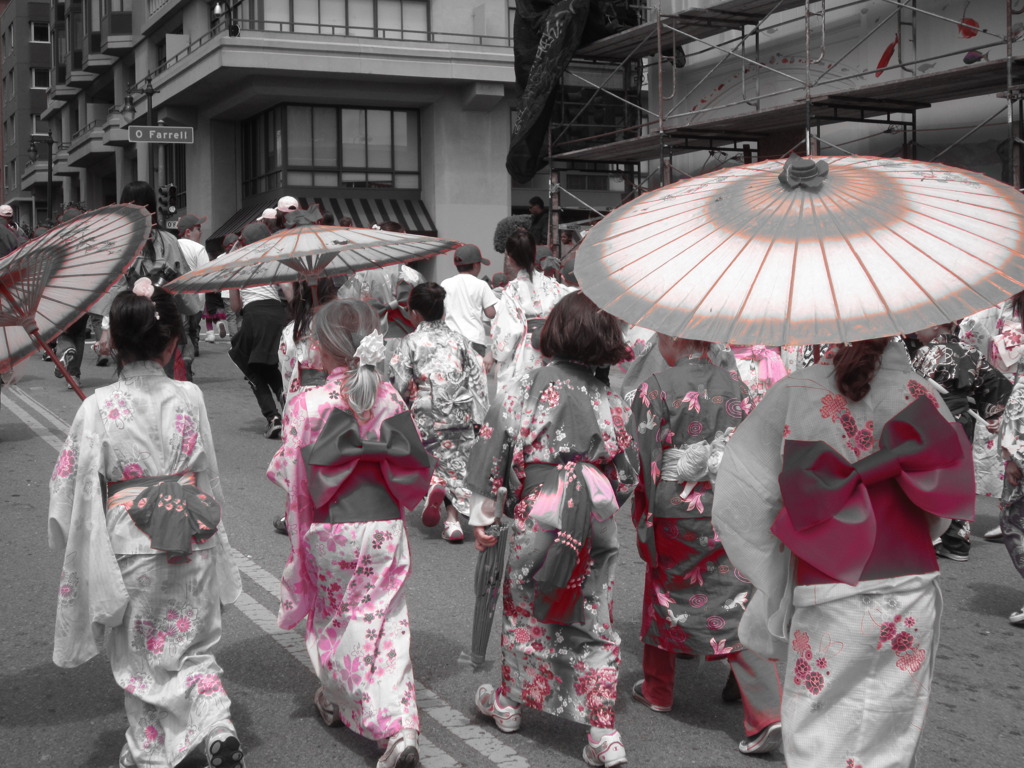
x,y
344,467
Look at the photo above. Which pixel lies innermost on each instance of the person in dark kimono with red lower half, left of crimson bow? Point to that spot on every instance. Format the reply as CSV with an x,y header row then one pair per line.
x,y
694,599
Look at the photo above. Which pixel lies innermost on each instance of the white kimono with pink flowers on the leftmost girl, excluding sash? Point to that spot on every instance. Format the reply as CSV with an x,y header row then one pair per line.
x,y
157,620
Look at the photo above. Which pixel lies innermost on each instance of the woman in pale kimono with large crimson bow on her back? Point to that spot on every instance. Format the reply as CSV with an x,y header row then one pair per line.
x,y
828,501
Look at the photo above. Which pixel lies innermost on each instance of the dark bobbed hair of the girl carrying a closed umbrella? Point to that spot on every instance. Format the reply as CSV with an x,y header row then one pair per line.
x,y
577,330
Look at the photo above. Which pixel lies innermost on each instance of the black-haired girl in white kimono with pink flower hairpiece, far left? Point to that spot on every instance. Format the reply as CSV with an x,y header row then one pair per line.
x,y
145,583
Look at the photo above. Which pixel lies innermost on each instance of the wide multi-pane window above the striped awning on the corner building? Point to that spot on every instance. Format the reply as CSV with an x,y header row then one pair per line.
x,y
328,147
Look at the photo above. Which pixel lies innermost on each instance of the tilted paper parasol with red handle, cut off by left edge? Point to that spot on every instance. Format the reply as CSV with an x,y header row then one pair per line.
x,y
51,282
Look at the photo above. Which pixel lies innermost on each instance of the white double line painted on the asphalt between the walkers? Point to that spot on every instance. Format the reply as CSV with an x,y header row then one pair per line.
x,y
293,642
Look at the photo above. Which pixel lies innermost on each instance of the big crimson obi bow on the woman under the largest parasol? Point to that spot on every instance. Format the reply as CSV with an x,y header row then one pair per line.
x,y
829,516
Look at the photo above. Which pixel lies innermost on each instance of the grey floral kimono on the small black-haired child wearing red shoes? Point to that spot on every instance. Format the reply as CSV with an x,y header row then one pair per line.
x,y
441,377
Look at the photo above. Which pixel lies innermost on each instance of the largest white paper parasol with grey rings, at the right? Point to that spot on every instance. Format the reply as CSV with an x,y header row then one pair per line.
x,y
816,250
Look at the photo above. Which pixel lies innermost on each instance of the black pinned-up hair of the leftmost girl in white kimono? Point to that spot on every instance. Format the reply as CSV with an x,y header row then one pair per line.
x,y
142,328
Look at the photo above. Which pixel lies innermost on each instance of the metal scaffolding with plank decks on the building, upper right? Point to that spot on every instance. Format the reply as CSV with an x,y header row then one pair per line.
x,y
770,106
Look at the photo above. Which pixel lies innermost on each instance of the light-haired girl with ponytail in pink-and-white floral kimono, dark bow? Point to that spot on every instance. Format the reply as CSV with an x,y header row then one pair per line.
x,y
352,462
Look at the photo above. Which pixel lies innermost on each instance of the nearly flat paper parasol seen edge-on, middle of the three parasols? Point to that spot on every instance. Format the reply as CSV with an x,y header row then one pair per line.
x,y
309,253
